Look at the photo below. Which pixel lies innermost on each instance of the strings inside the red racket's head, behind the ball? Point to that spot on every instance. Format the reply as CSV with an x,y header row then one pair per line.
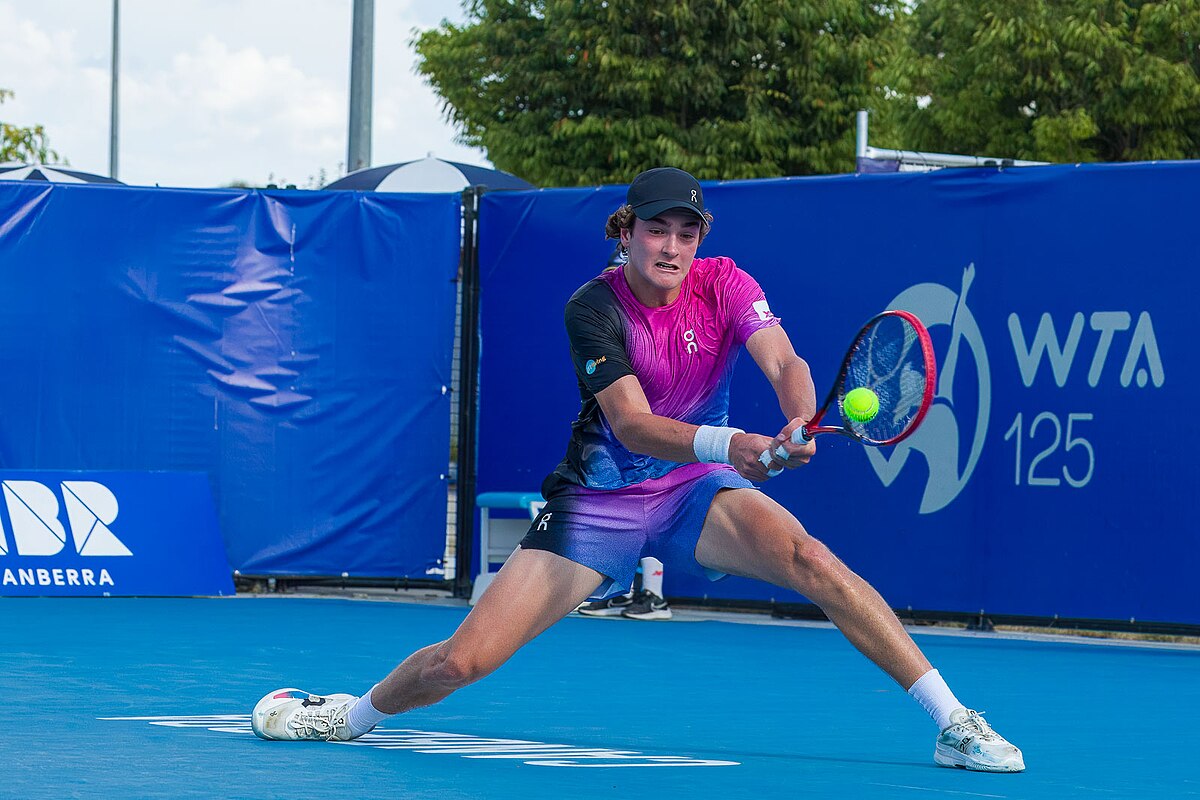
x,y
890,360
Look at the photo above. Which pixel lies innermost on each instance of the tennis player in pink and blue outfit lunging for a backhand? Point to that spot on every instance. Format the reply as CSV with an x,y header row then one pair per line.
x,y
653,468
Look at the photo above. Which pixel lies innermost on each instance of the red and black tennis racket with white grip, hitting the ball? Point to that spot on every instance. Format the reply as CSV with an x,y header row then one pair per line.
x,y
892,359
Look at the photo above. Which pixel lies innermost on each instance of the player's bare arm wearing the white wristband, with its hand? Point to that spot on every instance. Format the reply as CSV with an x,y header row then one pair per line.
x,y
643,431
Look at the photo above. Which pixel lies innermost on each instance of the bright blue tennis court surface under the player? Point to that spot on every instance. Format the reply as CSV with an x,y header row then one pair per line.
x,y
151,699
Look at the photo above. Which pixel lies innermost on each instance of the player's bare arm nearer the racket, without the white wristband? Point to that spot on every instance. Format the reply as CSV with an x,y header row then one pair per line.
x,y
790,377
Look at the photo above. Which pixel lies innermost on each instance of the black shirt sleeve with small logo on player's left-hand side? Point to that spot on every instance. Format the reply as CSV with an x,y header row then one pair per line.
x,y
597,332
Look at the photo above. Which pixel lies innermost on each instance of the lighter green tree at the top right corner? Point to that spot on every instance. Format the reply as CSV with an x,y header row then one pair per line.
x,y
1063,81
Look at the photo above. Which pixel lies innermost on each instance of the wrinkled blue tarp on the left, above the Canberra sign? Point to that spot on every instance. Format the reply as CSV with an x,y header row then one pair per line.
x,y
293,346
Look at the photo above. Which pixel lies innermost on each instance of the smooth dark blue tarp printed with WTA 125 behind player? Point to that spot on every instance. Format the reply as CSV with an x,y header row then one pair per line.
x,y
1055,473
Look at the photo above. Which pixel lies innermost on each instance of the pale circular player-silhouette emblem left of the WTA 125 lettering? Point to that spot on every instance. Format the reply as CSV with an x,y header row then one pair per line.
x,y
950,430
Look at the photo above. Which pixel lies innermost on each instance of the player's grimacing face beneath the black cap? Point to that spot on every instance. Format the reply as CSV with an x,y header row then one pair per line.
x,y
661,255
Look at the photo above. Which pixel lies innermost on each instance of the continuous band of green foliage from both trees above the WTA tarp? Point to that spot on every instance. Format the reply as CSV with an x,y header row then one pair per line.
x,y
579,93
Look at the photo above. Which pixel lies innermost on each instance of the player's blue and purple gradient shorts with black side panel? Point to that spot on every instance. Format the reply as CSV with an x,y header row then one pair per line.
x,y
613,531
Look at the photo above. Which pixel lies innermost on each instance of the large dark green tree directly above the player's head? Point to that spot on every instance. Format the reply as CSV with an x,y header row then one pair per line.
x,y
566,93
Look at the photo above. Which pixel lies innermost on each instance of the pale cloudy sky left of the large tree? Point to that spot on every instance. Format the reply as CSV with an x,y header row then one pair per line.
x,y
214,92
